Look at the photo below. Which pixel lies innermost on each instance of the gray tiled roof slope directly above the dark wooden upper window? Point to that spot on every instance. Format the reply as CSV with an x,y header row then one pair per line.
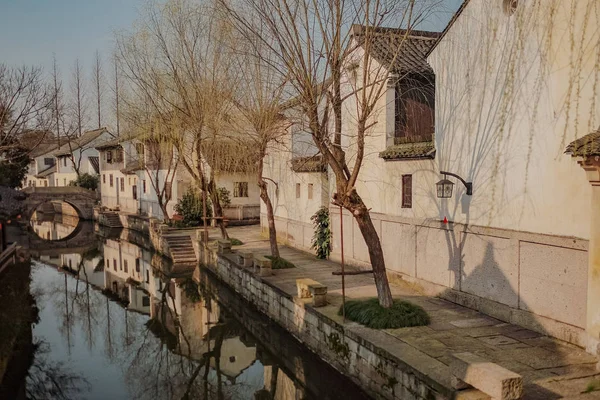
x,y
399,50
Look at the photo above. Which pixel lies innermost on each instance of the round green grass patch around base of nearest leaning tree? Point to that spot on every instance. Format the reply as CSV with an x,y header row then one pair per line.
x,y
401,314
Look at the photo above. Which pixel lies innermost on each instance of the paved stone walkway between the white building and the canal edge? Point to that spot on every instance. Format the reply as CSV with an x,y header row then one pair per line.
x,y
551,369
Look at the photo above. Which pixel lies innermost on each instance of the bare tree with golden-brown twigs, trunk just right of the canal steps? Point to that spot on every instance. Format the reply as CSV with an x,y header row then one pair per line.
x,y
174,59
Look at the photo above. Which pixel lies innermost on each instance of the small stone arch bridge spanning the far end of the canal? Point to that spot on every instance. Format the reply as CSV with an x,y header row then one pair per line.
x,y
82,200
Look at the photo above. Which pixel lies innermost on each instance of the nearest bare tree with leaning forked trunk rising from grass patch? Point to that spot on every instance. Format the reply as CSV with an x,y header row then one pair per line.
x,y
315,42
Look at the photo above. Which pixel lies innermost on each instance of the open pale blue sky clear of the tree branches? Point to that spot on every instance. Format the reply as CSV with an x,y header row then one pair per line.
x,y
31,30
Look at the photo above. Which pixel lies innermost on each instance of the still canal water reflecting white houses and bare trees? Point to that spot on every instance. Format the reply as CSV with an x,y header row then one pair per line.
x,y
109,318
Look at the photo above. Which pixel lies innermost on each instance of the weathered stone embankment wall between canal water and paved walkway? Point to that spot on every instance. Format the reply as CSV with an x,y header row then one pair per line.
x,y
378,372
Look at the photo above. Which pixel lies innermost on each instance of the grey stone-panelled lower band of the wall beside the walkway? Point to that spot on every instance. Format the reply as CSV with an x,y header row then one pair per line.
x,y
538,281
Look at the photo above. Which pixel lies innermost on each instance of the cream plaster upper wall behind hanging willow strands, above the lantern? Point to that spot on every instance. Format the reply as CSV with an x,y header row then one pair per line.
x,y
504,117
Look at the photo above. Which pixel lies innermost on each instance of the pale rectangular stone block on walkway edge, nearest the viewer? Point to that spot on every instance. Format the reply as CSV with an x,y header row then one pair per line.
x,y
490,378
